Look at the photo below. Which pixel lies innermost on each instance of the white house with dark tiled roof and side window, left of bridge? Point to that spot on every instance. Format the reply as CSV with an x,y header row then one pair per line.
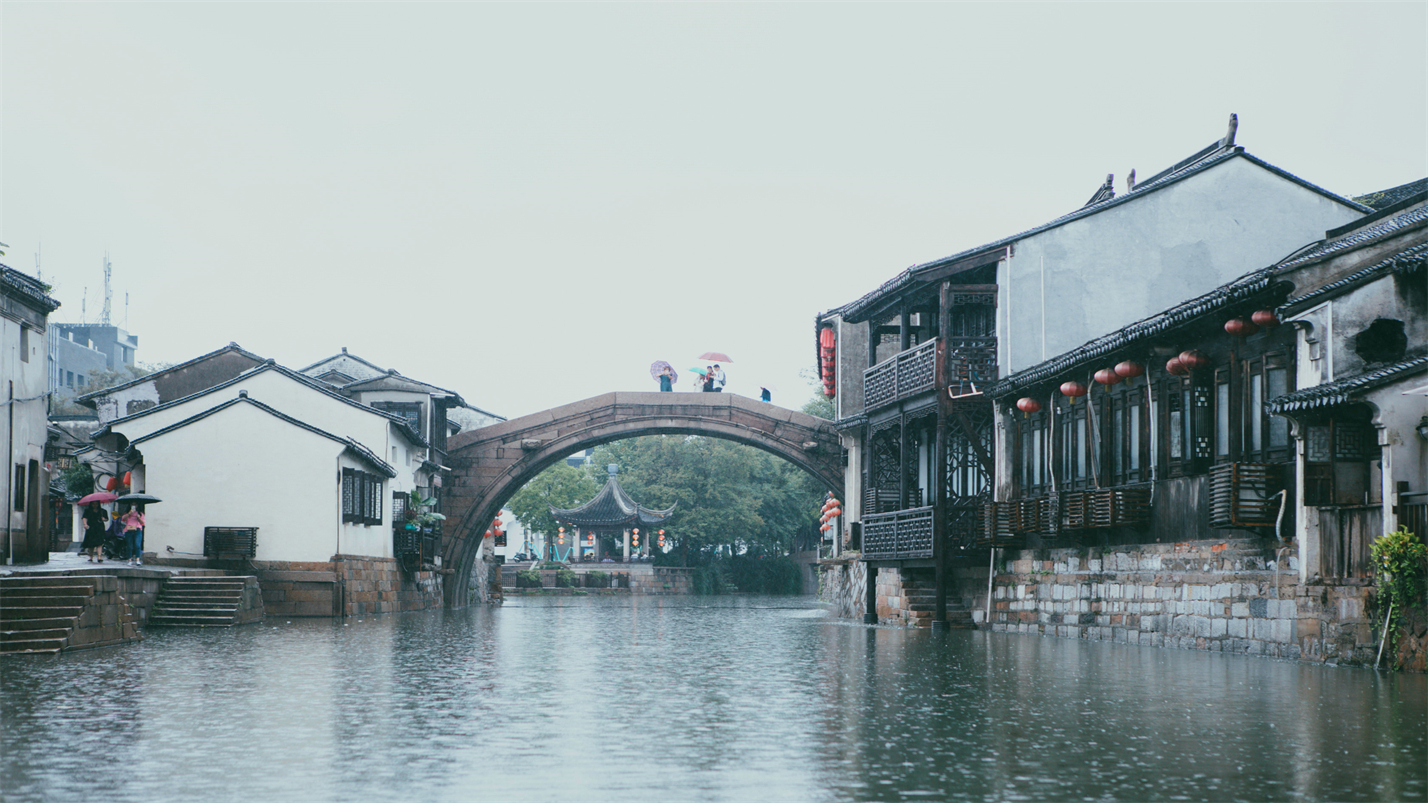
x,y
318,474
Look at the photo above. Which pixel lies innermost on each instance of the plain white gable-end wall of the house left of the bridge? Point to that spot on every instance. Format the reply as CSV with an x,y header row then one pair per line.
x,y
243,468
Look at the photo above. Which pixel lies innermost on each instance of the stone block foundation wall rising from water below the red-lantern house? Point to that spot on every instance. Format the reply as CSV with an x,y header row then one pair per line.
x,y
1219,597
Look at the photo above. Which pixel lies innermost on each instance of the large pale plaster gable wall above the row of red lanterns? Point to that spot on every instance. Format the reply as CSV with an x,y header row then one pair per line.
x,y
1096,275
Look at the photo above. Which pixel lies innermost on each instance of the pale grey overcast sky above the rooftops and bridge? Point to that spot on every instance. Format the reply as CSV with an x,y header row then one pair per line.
x,y
529,204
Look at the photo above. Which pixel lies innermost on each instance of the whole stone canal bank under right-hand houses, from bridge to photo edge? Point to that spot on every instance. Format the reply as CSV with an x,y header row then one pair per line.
x,y
1229,597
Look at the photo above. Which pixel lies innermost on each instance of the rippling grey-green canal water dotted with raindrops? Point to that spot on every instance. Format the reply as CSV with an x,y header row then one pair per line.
x,y
708,699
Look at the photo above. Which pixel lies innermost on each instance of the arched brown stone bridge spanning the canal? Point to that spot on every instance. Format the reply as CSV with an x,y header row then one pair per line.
x,y
492,464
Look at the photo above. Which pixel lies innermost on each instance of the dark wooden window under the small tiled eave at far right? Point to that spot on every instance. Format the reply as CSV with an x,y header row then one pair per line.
x,y
1339,451
